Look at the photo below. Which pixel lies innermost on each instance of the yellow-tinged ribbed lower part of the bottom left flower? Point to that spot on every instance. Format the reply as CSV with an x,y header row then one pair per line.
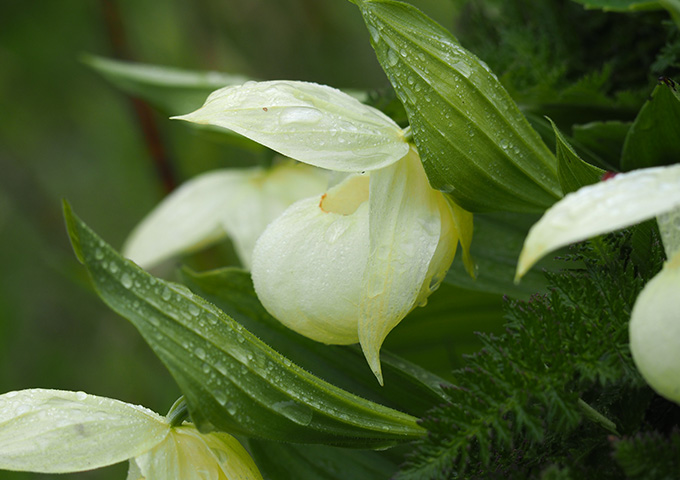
x,y
187,454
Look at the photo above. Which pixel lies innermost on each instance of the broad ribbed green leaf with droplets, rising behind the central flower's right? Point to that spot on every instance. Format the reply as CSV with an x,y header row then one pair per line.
x,y
474,141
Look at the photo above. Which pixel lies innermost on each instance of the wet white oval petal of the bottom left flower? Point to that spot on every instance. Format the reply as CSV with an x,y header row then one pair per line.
x,y
52,431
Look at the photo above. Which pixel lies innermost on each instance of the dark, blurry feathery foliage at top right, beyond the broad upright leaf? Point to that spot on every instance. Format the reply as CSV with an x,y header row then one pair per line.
x,y
556,52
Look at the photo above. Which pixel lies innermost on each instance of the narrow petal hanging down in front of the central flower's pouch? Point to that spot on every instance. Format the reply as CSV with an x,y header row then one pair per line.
x,y
405,228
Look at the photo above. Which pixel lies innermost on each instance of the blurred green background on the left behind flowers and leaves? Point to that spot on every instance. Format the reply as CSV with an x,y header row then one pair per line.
x,y
65,133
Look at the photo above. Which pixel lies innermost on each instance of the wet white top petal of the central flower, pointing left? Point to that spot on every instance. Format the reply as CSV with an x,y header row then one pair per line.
x,y
312,123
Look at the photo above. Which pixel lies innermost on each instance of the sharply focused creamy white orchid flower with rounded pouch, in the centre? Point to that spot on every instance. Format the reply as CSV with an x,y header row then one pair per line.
x,y
348,265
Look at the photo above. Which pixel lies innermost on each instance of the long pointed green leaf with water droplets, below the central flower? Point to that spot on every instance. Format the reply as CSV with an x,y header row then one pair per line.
x,y
231,380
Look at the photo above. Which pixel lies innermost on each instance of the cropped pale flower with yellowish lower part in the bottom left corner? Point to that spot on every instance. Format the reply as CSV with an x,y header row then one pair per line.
x,y
53,431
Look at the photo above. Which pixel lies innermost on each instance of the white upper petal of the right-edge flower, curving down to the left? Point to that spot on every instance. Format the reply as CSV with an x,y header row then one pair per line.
x,y
624,200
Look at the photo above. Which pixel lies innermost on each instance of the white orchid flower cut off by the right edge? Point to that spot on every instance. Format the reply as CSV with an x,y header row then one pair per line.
x,y
620,202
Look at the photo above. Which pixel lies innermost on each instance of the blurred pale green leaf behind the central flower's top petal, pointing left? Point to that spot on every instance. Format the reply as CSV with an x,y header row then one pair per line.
x,y
172,90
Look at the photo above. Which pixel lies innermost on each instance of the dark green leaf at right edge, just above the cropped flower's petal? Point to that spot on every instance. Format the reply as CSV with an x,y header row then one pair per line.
x,y
654,137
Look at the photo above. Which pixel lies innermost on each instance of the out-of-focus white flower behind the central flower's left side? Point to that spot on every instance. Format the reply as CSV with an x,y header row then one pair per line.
x,y
238,203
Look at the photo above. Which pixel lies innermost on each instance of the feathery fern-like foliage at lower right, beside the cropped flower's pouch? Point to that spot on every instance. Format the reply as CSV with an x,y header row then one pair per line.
x,y
543,399
